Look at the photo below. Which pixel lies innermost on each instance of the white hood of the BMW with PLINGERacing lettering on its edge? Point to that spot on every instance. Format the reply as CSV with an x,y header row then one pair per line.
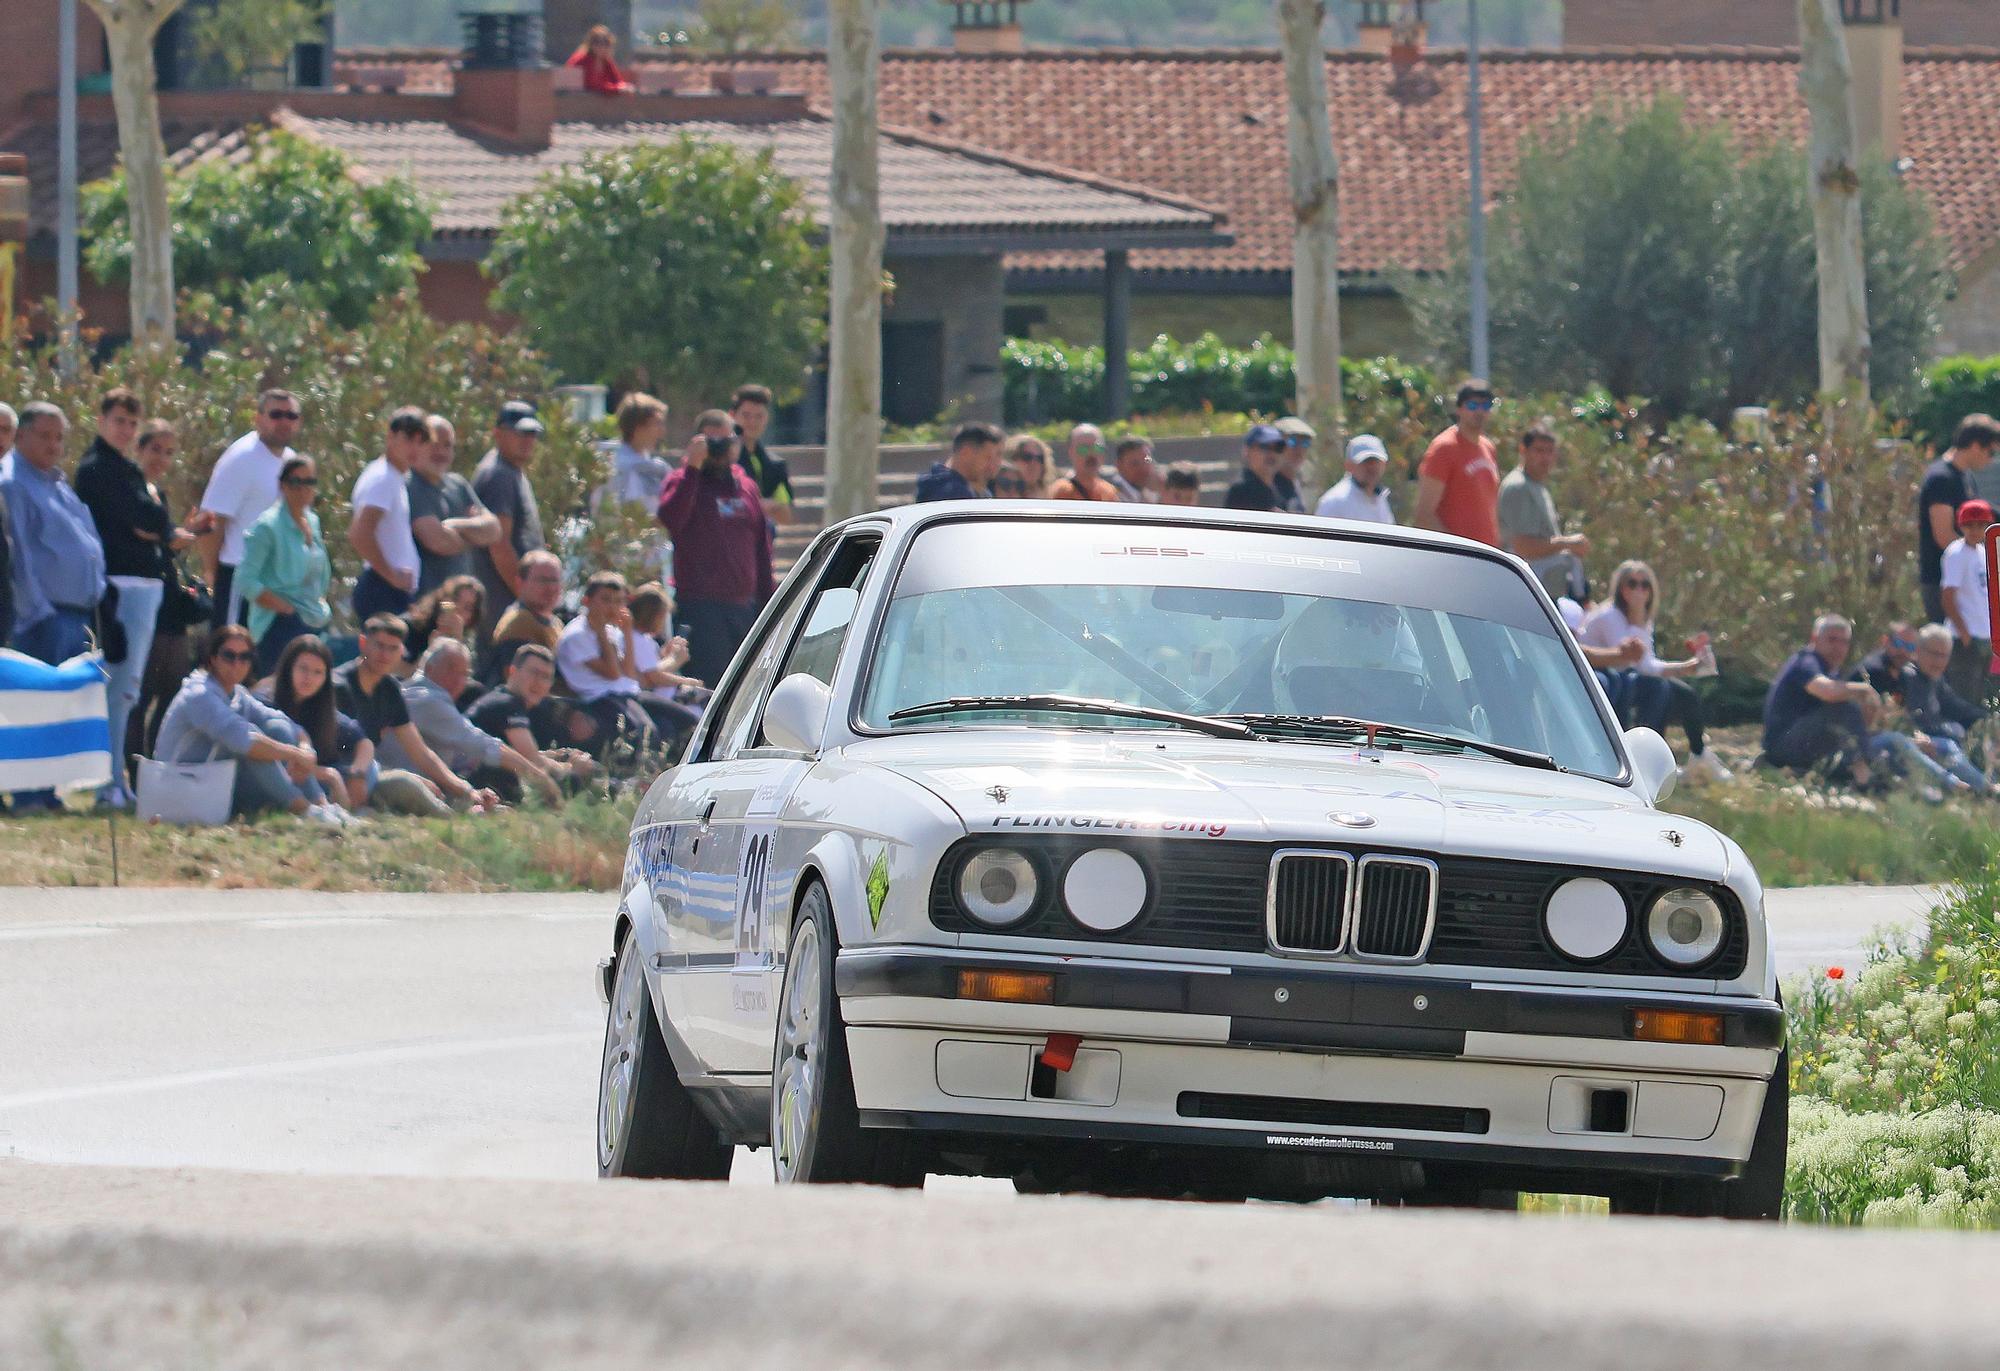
x,y
1199,788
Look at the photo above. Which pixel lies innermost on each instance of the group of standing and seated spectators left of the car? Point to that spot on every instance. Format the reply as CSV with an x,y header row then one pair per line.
x,y
463,685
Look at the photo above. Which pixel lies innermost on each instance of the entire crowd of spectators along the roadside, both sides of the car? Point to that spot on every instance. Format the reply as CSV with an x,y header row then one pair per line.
x,y
467,686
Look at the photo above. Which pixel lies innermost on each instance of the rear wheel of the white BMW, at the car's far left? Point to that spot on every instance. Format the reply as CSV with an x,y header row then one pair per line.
x,y
649,1124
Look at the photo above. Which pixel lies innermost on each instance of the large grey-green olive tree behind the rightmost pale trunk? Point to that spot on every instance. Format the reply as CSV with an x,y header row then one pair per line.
x,y
1643,251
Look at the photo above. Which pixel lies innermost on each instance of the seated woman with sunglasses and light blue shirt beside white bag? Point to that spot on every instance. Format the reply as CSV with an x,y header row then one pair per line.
x,y
215,718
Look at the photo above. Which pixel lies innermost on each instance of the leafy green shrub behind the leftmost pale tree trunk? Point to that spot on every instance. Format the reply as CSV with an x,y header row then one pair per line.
x,y
285,223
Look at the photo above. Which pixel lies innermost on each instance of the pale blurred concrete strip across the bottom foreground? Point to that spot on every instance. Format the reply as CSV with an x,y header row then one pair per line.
x,y
221,1270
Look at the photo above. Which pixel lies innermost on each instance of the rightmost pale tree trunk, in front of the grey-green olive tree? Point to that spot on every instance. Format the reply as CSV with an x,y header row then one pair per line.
x,y
1837,199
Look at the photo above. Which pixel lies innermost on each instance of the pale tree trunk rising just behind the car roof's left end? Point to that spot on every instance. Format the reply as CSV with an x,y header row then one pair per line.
x,y
855,329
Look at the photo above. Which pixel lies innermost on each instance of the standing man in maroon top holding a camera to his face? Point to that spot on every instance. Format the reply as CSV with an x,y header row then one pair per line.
x,y
723,577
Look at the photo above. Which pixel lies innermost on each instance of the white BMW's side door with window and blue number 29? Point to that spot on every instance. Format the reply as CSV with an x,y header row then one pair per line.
x,y
753,798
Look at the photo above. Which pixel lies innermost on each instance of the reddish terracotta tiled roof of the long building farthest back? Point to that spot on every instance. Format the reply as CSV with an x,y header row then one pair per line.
x,y
1211,127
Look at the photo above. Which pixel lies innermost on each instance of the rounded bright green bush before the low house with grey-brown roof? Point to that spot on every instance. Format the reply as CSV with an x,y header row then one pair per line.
x,y
681,267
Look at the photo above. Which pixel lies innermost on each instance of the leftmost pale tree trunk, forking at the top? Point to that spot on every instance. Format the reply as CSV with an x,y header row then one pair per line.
x,y
129,33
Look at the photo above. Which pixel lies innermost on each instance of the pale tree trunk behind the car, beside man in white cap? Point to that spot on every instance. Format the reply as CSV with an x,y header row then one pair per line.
x,y
1315,177
